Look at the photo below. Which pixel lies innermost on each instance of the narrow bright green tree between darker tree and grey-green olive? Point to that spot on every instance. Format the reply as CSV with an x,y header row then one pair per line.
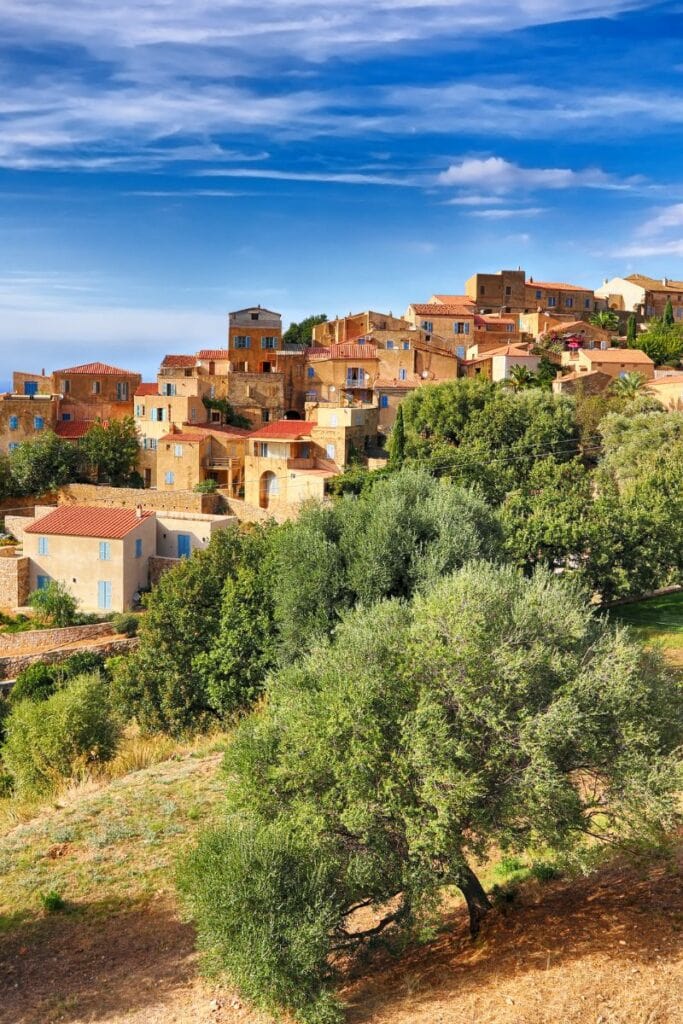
x,y
245,648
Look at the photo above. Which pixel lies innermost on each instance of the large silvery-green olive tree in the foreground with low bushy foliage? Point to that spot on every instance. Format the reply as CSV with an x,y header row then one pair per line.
x,y
394,759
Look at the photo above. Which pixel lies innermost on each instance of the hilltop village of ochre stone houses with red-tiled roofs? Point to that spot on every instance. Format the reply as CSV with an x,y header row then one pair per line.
x,y
252,431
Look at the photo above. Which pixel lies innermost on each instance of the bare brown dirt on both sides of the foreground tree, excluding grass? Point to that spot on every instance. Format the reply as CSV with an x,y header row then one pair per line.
x,y
600,951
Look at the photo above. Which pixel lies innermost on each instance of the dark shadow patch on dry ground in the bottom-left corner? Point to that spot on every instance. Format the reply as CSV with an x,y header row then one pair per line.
x,y
95,963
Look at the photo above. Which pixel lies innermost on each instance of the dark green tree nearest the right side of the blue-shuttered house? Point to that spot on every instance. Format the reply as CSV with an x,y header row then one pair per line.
x,y
159,685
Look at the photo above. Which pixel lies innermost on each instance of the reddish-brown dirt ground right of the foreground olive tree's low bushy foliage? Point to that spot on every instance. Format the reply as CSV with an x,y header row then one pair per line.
x,y
614,940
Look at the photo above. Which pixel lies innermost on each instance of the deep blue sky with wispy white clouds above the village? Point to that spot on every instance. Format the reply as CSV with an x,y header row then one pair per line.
x,y
163,162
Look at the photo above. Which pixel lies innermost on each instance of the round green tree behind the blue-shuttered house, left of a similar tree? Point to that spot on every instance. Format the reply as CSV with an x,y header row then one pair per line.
x,y
44,464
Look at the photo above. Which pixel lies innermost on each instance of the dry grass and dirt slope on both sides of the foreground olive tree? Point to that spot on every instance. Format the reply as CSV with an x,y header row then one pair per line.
x,y
600,951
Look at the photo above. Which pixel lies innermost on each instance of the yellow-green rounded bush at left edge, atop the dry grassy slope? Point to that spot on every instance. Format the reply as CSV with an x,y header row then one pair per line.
x,y
60,738
